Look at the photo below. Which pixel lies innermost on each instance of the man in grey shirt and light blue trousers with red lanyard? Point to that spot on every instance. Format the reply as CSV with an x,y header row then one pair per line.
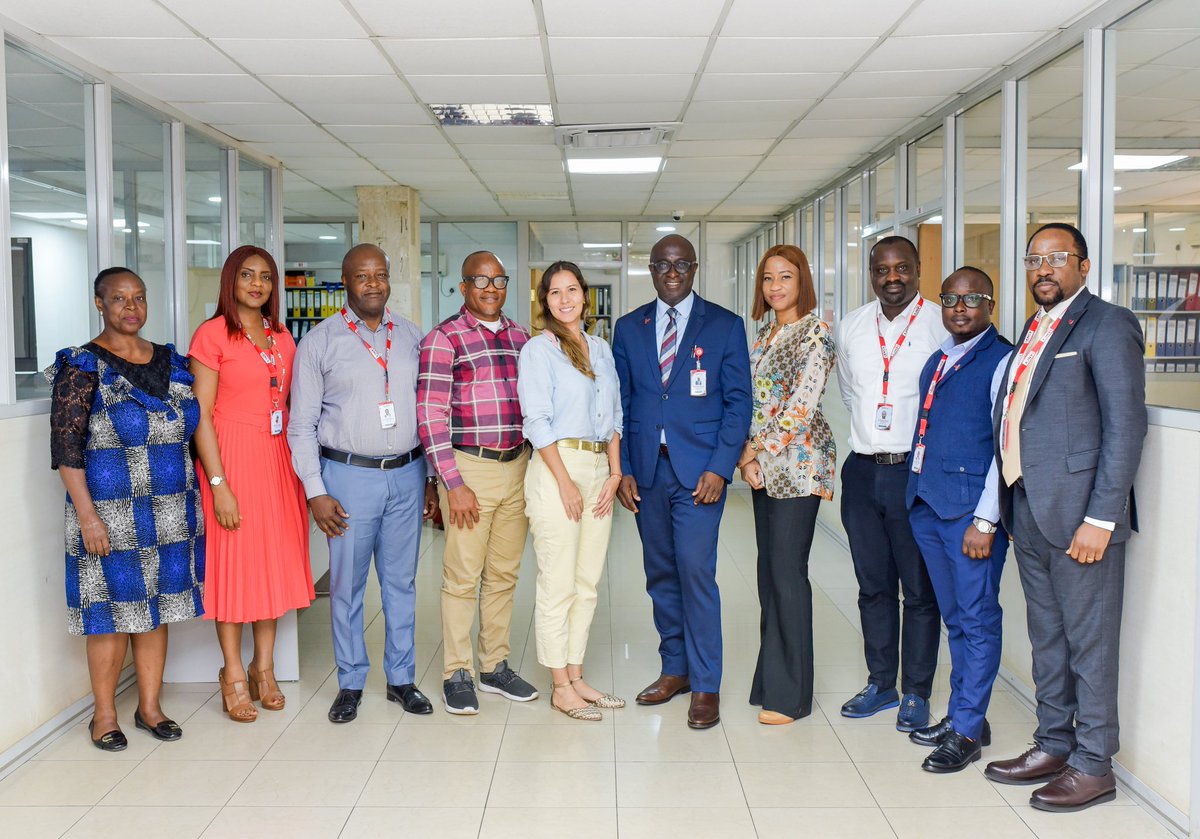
x,y
355,446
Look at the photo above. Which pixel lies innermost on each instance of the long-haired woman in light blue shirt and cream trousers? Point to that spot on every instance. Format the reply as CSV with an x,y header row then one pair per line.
x,y
572,405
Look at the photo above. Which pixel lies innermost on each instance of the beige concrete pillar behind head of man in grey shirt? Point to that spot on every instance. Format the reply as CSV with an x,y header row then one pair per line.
x,y
389,217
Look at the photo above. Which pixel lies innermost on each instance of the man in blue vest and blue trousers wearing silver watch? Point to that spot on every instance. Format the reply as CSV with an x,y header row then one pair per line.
x,y
955,510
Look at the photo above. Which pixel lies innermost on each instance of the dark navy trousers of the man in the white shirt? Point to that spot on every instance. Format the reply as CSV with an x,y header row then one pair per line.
x,y
887,560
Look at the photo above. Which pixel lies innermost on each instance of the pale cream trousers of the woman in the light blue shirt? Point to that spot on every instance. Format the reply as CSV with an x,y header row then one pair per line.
x,y
571,555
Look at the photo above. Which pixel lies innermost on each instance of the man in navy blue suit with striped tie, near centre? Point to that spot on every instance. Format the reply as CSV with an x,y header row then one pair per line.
x,y
686,394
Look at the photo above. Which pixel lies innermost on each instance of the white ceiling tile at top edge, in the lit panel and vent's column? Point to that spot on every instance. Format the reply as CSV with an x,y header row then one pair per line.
x,y
629,19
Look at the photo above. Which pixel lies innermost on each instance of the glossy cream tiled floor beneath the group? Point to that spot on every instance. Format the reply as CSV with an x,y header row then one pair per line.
x,y
526,771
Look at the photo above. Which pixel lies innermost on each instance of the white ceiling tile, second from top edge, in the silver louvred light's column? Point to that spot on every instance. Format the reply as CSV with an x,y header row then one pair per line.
x,y
457,57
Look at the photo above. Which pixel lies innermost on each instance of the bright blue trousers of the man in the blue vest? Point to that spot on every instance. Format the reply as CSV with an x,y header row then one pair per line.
x,y
969,598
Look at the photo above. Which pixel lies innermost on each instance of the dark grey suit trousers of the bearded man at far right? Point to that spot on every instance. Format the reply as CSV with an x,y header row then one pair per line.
x,y
1075,621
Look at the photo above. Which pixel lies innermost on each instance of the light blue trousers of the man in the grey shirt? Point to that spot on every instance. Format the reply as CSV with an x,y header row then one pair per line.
x,y
385,510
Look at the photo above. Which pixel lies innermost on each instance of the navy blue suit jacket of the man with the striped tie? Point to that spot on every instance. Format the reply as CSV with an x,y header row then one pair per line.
x,y
705,434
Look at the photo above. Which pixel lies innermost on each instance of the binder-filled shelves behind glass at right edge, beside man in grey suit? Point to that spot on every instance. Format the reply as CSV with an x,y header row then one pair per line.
x,y
1166,299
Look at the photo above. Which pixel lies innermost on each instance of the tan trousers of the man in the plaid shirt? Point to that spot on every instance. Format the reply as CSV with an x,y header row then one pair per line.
x,y
482,564
